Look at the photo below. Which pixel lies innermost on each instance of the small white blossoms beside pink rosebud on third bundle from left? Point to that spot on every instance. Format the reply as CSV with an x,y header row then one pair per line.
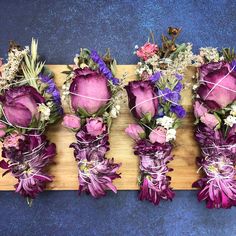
x,y
167,123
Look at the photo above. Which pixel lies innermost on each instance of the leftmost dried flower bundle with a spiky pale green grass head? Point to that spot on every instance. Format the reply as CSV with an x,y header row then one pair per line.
x,y
29,102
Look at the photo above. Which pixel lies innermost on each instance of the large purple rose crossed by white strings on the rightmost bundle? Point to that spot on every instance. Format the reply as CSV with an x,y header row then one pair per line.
x,y
218,84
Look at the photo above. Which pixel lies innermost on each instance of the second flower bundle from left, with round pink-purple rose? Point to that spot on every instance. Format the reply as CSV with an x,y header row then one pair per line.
x,y
94,95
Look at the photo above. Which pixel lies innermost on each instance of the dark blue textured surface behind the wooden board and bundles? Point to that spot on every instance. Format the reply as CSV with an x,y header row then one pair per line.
x,y
62,27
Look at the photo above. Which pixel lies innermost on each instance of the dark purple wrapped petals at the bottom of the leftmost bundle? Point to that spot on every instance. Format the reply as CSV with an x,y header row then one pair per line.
x,y
26,157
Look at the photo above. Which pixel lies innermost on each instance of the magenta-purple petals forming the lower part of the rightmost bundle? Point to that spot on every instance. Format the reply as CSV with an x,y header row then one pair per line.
x,y
218,160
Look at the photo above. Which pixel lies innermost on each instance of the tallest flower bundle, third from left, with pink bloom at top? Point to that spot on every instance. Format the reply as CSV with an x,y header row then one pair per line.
x,y
154,100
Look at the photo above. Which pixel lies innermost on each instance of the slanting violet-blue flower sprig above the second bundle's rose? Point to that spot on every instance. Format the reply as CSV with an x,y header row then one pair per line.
x,y
103,68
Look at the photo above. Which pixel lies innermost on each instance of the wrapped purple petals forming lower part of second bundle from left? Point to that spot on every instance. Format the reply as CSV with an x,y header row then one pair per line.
x,y
96,172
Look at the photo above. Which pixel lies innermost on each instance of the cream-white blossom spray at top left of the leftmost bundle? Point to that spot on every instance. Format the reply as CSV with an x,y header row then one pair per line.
x,y
11,68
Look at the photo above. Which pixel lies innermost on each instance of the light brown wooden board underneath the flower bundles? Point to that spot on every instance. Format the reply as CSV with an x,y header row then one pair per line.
x,y
65,168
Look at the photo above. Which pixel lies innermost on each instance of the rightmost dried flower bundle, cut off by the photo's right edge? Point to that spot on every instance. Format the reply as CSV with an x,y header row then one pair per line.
x,y
215,112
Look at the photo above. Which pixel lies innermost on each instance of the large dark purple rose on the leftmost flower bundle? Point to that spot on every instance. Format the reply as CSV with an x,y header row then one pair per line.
x,y
20,105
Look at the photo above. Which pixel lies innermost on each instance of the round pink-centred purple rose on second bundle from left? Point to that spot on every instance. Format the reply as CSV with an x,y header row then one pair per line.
x,y
89,90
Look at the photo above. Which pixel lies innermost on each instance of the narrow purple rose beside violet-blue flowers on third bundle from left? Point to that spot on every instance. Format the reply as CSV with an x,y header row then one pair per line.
x,y
142,98
